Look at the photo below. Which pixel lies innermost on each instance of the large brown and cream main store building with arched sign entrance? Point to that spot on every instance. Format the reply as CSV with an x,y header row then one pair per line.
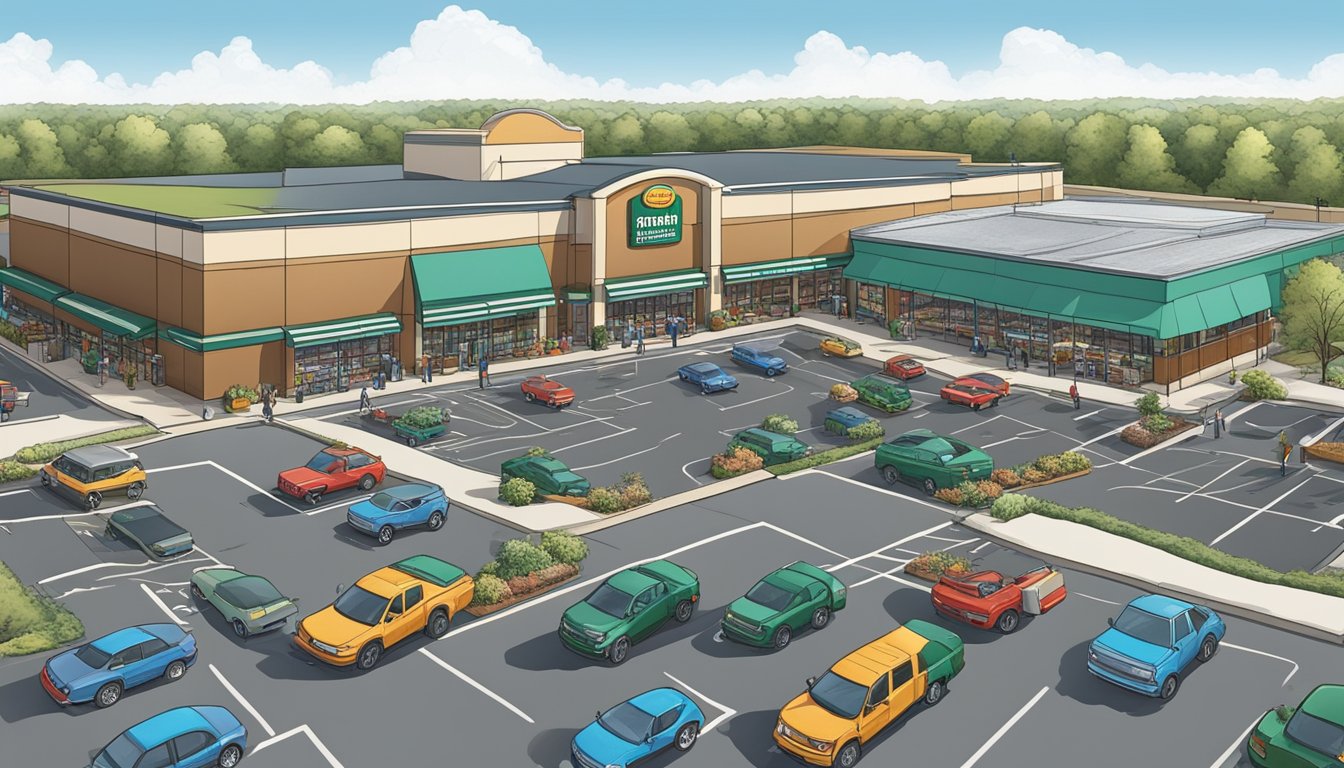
x,y
501,241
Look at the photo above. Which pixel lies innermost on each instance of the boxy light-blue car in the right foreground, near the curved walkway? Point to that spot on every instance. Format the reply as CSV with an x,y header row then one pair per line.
x,y
1152,644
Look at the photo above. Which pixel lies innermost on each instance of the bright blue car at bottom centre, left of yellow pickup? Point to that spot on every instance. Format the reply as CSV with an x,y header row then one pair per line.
x,y
638,730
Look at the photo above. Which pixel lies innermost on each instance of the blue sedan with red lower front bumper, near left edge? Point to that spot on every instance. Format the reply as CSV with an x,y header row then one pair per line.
x,y
103,670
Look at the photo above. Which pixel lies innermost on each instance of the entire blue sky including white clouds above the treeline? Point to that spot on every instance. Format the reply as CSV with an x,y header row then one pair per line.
x,y
303,52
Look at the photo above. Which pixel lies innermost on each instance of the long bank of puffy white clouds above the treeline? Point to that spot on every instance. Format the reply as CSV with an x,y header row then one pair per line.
x,y
466,54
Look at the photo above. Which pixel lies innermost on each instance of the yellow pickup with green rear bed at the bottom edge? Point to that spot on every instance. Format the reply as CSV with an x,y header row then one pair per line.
x,y
868,691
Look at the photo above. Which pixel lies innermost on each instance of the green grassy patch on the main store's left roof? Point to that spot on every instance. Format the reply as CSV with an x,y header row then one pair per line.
x,y
192,202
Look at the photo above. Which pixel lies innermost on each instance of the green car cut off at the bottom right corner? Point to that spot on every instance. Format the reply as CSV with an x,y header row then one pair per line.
x,y
1310,736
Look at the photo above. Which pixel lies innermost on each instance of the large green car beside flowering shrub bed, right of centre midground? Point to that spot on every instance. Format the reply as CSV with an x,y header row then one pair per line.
x,y
931,461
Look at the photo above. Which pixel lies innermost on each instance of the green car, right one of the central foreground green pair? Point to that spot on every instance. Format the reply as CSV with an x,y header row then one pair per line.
x,y
782,605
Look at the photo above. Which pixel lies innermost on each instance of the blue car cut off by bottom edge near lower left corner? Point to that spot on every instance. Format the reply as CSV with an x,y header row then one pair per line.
x,y
183,738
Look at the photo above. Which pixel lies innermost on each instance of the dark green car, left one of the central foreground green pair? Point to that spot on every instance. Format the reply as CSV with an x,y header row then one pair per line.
x,y
628,609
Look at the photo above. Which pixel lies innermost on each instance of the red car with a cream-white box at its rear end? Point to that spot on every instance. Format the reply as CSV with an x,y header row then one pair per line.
x,y
989,601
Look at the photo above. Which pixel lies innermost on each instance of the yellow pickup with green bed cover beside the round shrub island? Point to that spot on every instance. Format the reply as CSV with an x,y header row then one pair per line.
x,y
419,594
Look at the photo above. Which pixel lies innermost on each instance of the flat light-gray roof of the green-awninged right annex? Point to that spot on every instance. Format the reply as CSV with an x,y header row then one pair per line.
x,y
1126,237
